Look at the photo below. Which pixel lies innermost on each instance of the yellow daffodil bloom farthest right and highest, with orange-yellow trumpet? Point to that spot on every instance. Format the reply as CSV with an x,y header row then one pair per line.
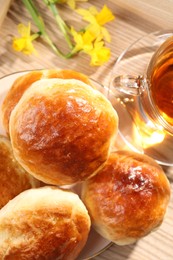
x,y
97,20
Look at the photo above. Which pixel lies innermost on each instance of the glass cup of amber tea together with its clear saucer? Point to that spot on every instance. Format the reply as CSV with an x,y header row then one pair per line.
x,y
142,82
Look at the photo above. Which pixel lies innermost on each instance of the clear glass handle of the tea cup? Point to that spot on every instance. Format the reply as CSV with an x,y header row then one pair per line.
x,y
129,84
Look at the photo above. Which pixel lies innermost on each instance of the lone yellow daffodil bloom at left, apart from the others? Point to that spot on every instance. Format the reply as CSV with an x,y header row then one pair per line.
x,y
24,42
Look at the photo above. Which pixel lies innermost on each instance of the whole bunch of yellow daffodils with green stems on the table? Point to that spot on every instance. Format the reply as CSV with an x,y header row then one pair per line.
x,y
90,39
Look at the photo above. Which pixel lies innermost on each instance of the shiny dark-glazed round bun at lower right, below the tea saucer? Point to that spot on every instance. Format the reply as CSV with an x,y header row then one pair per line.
x,y
128,198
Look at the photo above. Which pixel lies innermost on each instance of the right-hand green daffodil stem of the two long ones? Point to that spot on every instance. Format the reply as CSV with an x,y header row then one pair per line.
x,y
62,25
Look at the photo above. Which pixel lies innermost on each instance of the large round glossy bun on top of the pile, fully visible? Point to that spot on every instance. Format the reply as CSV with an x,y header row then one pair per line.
x,y
61,130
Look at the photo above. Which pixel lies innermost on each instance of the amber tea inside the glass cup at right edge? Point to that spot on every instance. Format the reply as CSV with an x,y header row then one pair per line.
x,y
161,81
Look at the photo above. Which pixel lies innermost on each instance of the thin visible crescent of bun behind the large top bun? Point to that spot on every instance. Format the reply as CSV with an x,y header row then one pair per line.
x,y
24,82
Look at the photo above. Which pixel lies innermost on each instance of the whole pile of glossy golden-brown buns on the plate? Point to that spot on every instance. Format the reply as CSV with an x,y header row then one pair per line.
x,y
62,130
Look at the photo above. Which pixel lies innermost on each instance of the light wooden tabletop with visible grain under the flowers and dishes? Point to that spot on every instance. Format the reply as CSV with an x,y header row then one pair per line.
x,y
134,18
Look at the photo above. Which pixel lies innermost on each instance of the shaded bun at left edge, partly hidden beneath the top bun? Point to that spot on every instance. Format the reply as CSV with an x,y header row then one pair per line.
x,y
13,178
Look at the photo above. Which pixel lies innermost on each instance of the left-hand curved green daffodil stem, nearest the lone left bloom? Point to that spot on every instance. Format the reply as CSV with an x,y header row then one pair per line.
x,y
40,24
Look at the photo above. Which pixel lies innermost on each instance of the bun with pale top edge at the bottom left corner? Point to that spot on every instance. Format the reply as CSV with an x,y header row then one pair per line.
x,y
43,223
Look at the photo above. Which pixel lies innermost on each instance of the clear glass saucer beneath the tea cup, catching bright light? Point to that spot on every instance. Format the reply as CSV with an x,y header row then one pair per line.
x,y
137,137
